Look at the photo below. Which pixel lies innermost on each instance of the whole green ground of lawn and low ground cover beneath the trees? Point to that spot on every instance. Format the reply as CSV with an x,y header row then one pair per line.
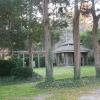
x,y
62,88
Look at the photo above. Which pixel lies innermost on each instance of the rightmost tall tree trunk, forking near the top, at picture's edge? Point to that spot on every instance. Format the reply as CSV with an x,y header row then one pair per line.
x,y
95,40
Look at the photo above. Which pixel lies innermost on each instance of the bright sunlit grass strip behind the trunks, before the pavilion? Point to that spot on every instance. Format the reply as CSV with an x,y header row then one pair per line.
x,y
67,72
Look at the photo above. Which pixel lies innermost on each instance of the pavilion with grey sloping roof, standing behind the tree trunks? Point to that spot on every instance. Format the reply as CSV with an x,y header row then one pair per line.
x,y
64,54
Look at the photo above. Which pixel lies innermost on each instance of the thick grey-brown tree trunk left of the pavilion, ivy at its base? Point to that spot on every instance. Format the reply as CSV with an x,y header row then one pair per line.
x,y
48,58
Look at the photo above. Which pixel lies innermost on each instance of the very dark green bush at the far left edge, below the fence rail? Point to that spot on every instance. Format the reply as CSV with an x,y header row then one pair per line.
x,y
5,67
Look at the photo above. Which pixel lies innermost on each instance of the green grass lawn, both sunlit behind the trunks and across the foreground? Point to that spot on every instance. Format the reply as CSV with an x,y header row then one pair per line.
x,y
28,91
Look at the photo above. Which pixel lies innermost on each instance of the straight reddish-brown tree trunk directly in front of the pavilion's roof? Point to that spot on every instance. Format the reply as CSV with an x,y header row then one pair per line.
x,y
76,37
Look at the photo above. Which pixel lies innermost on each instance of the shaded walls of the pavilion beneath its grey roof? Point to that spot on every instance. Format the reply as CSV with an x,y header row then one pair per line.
x,y
67,59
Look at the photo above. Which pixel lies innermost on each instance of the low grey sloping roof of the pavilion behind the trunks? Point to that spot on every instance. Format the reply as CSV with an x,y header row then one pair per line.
x,y
69,48
